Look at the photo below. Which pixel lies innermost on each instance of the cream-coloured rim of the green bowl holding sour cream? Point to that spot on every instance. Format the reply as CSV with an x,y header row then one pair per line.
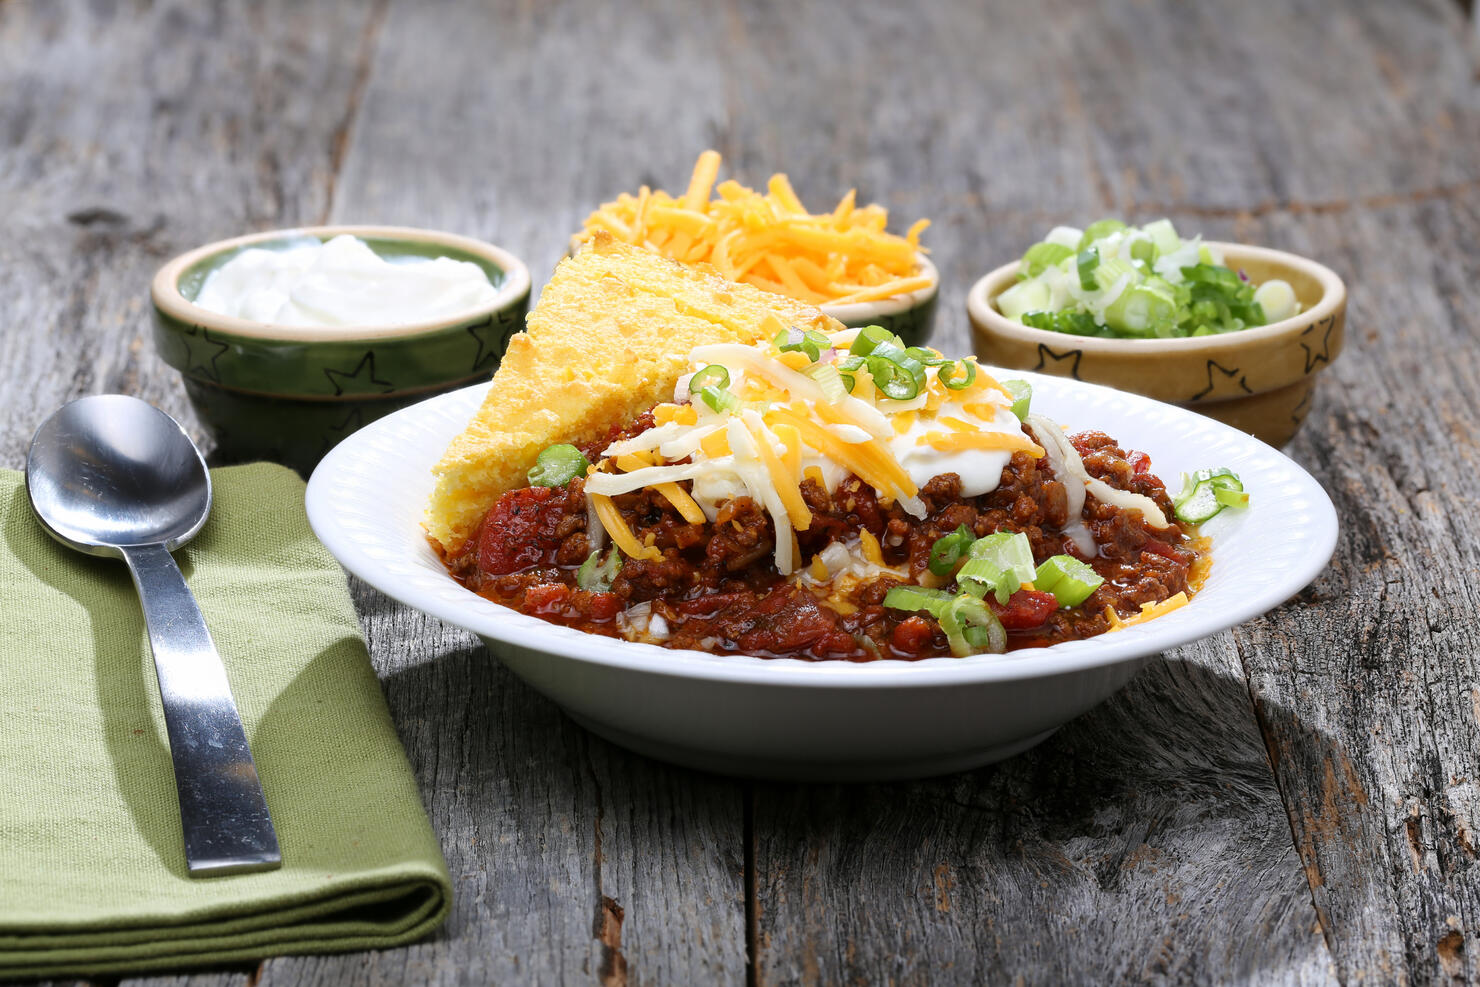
x,y
171,301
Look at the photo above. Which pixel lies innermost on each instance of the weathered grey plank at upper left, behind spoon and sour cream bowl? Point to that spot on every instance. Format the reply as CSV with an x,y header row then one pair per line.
x,y
132,135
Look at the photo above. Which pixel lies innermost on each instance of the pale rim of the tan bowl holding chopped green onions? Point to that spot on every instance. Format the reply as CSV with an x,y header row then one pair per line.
x,y
985,317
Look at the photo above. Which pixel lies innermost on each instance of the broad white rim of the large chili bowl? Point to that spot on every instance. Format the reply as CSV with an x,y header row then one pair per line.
x,y
369,550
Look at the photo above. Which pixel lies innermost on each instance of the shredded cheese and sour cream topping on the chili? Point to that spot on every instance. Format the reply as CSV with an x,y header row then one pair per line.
x,y
776,425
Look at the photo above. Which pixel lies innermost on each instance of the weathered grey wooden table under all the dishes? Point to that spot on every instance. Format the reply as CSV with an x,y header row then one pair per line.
x,y
1294,801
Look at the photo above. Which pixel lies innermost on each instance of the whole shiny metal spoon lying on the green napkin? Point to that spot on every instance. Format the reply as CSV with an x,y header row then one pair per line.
x,y
115,476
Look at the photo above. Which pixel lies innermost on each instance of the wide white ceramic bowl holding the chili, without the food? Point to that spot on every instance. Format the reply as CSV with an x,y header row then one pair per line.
x,y
785,718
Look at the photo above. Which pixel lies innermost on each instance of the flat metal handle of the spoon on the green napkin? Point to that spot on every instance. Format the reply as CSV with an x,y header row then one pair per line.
x,y
223,809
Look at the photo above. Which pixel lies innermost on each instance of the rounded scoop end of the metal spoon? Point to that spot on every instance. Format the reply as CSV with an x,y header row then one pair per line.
x,y
110,471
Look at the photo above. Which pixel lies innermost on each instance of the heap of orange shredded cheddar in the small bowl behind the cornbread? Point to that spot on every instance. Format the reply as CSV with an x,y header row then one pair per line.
x,y
770,240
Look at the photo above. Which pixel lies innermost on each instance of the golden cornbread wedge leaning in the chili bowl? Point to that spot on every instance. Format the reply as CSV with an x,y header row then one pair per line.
x,y
608,341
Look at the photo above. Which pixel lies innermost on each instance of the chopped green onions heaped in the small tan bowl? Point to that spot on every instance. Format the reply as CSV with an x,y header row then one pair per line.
x,y
1127,282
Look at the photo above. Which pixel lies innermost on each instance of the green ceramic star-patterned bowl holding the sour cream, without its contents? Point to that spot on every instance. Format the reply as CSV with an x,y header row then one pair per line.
x,y
289,393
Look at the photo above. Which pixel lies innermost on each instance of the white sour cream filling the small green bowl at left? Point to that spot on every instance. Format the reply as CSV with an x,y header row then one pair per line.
x,y
343,283
